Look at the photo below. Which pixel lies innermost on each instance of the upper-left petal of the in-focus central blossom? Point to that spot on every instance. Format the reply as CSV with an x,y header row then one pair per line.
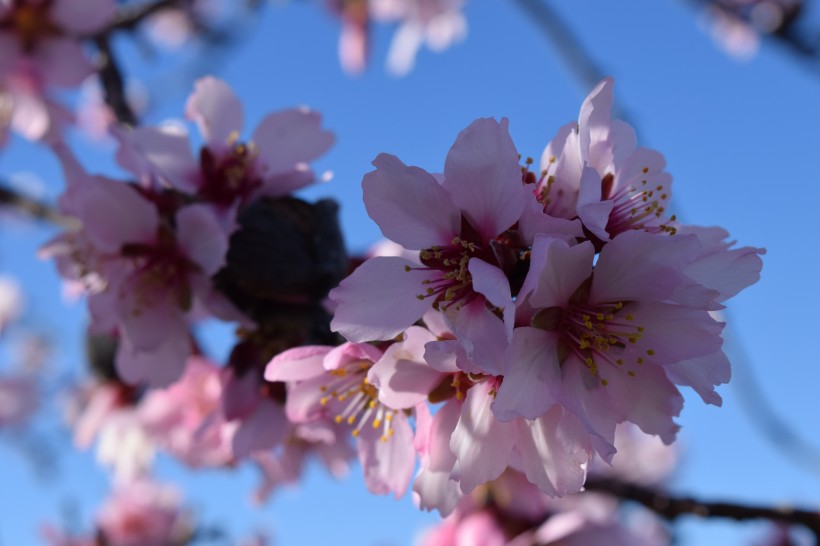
x,y
409,205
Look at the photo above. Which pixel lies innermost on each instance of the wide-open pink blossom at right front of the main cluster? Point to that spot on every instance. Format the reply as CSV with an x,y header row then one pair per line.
x,y
600,345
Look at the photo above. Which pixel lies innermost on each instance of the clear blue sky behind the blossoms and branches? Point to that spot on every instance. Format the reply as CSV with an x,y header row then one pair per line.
x,y
740,140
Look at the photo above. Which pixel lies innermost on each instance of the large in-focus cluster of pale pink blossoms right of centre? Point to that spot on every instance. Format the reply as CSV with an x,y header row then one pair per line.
x,y
557,303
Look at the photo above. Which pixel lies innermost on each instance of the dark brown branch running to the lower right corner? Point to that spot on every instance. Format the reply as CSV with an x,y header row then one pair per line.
x,y
672,507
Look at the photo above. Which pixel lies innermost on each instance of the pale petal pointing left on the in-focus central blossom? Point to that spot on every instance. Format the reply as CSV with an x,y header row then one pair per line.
x,y
379,299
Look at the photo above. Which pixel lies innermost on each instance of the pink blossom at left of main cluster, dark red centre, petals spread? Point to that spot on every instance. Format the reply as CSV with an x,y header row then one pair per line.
x,y
456,225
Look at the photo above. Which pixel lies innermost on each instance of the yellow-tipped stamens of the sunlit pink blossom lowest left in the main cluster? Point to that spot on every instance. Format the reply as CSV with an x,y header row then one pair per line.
x,y
356,400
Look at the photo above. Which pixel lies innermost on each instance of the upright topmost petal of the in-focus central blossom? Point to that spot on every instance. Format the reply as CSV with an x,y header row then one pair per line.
x,y
484,178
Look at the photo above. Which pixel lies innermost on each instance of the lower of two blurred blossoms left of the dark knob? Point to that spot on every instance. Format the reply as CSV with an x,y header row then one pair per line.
x,y
145,269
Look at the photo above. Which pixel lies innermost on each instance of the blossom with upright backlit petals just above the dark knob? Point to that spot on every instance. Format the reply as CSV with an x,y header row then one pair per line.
x,y
227,170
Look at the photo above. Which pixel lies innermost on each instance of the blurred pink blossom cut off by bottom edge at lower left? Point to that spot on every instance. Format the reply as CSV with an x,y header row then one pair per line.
x,y
144,513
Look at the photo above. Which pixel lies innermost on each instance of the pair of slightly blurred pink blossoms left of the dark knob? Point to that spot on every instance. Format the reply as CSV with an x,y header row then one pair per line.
x,y
146,250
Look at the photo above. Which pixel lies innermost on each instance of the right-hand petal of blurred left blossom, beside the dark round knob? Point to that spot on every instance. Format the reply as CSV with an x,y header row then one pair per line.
x,y
201,237
